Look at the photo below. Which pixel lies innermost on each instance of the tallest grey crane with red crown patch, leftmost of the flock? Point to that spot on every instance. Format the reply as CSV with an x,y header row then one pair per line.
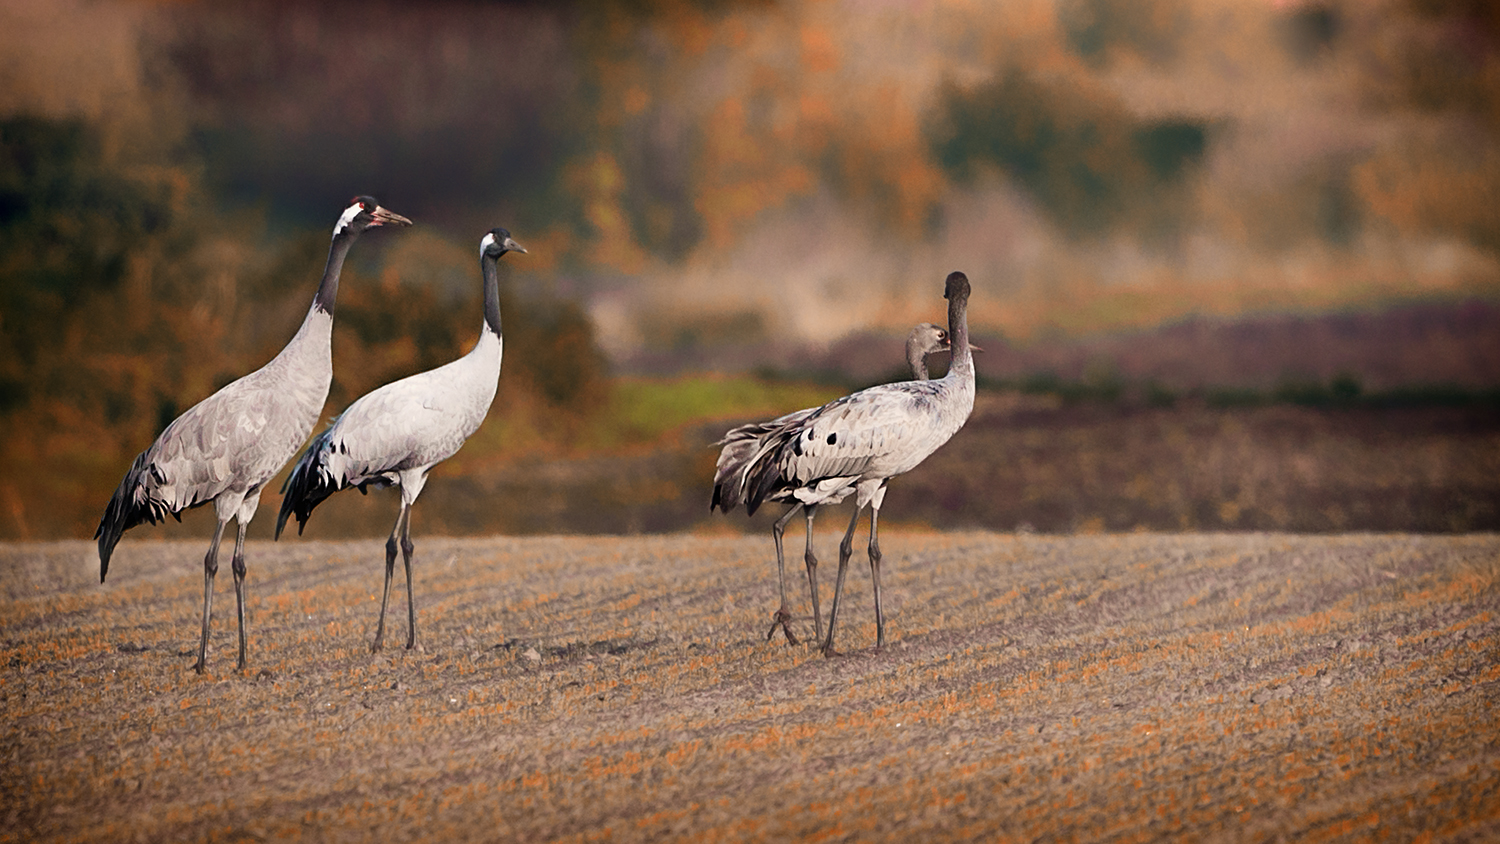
x,y
226,447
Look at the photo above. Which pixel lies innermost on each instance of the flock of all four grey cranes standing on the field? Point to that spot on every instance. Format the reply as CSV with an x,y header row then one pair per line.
x,y
227,447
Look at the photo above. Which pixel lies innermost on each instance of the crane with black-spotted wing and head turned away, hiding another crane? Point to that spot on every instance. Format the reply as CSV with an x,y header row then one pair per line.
x,y
859,443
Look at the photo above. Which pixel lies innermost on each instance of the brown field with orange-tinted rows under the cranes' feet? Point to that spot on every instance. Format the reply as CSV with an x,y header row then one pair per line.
x,y
1111,687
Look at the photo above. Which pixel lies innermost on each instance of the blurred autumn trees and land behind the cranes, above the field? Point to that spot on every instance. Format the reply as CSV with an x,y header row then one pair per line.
x,y
1237,265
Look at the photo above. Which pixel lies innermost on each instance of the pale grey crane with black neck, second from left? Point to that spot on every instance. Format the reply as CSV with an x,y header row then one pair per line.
x,y
397,434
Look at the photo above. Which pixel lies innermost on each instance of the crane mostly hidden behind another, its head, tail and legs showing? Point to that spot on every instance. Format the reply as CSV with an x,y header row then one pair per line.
x,y
745,444
